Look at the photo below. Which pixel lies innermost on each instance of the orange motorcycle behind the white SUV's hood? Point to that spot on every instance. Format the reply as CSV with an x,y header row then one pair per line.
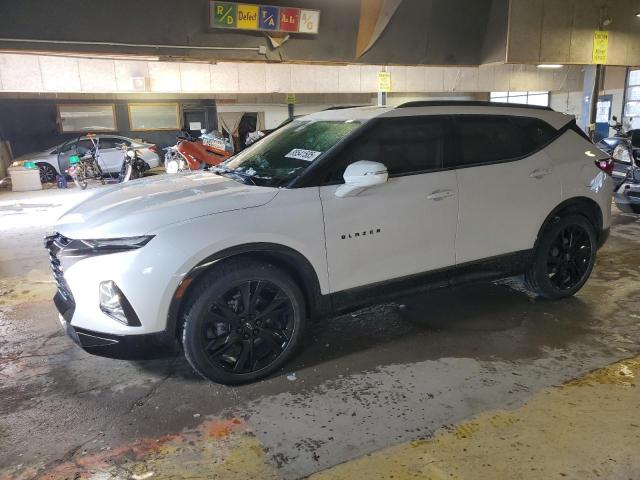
x,y
196,153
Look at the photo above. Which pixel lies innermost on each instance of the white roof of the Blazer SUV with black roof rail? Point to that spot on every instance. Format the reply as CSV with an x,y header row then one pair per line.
x,y
555,119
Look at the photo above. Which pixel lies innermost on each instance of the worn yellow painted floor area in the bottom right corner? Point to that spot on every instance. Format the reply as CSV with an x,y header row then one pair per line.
x,y
588,428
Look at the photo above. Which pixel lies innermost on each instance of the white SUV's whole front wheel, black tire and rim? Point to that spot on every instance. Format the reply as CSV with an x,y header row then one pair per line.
x,y
242,322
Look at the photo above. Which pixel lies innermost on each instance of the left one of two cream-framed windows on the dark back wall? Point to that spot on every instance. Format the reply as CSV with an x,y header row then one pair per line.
x,y
86,118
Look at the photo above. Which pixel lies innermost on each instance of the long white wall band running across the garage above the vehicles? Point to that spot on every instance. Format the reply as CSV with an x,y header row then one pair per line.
x,y
42,73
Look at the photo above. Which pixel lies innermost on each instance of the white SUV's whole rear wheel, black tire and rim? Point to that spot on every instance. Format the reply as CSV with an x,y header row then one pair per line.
x,y
564,258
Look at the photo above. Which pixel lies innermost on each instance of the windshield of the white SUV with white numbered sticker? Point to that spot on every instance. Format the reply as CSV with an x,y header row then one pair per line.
x,y
285,153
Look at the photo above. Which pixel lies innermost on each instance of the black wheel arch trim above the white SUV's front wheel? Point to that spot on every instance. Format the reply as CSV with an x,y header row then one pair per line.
x,y
288,259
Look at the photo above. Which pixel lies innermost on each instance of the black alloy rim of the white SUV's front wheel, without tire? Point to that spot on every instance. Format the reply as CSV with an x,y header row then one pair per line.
x,y
248,327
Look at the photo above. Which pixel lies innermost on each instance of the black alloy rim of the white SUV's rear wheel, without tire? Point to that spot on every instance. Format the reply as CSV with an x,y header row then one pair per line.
x,y
568,257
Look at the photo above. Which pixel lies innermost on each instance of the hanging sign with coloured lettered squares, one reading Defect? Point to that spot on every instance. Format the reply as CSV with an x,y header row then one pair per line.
x,y
246,16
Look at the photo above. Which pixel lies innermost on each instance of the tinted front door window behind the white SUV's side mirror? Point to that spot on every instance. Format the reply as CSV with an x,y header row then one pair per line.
x,y
405,145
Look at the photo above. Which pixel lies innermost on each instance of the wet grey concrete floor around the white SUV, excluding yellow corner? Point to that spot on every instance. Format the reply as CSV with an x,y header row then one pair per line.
x,y
365,382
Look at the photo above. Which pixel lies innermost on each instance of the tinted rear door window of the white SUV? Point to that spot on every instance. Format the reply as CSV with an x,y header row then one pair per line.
x,y
487,139
